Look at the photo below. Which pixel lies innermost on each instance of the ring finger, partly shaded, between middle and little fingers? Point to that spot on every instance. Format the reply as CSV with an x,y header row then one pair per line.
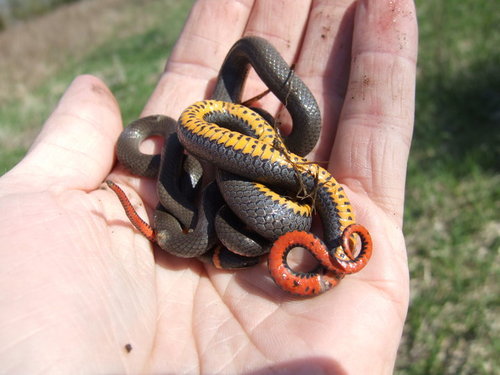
x,y
324,64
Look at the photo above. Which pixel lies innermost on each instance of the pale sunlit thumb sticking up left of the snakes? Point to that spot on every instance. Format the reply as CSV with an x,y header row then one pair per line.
x,y
75,149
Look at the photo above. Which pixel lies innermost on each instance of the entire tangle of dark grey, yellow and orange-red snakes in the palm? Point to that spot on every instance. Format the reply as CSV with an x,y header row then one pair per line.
x,y
249,155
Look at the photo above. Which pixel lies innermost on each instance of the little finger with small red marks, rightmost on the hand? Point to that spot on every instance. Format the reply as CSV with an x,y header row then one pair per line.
x,y
373,139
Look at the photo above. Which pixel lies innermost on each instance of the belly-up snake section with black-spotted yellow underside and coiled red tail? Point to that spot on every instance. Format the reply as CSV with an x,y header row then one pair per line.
x,y
271,163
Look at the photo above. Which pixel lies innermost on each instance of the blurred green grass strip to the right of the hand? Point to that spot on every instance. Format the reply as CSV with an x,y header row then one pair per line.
x,y
452,221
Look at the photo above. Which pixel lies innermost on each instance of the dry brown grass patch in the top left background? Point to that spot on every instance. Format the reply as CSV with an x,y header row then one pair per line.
x,y
34,50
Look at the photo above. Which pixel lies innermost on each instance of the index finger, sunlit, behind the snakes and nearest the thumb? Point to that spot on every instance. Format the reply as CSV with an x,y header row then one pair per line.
x,y
198,54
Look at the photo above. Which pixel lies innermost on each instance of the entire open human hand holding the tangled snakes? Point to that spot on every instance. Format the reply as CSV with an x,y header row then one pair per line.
x,y
78,283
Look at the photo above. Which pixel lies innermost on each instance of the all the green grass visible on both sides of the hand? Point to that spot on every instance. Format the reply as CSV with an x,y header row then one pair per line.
x,y
452,223
